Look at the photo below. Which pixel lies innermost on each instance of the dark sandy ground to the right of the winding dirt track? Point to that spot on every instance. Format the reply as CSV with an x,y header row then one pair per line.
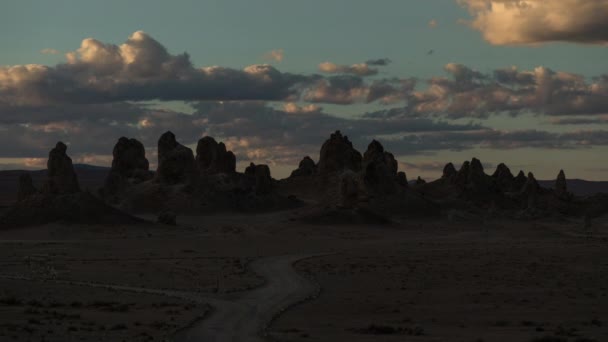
x,y
499,282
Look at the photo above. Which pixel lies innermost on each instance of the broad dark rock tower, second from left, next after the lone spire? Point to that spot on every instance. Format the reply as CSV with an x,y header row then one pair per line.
x,y
129,167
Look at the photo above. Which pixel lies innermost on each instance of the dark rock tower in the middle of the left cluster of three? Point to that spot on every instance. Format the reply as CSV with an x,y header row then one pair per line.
x,y
175,161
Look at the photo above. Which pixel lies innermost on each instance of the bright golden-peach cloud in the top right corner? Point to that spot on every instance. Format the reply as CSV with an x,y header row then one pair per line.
x,y
504,22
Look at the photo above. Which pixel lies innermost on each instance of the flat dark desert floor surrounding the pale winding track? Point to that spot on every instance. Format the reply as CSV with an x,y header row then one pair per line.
x,y
413,280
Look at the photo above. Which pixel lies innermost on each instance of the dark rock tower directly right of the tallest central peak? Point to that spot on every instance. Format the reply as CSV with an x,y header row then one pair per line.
x,y
379,169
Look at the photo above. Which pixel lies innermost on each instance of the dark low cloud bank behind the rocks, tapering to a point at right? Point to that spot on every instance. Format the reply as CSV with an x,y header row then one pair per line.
x,y
253,129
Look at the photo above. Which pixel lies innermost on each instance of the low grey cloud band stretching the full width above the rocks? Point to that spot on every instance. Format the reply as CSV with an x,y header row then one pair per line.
x,y
256,131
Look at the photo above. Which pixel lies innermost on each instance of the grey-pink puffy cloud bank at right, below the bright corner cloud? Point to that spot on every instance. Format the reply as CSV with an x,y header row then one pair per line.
x,y
470,93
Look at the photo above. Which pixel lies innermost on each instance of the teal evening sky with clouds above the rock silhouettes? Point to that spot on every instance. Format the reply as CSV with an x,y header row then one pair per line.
x,y
524,82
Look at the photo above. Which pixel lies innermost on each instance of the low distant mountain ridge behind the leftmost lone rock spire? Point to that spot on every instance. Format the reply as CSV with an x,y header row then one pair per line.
x,y
90,177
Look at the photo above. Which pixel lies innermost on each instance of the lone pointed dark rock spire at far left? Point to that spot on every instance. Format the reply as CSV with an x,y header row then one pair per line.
x,y
61,176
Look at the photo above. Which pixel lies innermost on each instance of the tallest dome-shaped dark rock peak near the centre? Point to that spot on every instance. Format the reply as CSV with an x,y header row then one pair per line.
x,y
338,154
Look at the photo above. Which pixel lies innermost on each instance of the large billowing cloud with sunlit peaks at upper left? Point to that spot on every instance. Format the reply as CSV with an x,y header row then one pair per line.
x,y
139,69
